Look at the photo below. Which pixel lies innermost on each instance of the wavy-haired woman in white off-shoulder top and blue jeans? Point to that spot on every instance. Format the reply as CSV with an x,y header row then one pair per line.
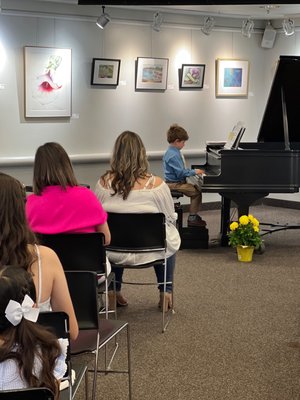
x,y
129,187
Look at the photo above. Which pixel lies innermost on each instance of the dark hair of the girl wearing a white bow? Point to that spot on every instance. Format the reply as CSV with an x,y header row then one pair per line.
x,y
28,340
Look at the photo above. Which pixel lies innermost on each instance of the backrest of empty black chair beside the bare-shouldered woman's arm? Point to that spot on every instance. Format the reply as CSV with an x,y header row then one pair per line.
x,y
83,290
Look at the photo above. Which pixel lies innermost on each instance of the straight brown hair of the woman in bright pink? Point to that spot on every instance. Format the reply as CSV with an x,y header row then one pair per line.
x,y
52,166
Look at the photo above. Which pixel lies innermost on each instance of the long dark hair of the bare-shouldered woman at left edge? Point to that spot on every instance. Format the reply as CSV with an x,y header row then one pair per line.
x,y
15,234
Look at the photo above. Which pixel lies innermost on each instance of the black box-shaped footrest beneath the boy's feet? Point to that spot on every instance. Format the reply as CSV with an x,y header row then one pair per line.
x,y
194,238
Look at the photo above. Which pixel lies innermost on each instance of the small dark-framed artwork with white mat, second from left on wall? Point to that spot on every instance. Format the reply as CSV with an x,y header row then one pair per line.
x,y
105,71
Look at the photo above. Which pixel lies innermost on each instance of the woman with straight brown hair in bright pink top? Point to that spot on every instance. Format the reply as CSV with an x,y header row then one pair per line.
x,y
58,203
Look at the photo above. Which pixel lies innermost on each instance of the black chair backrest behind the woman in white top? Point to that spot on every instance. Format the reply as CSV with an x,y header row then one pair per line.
x,y
137,231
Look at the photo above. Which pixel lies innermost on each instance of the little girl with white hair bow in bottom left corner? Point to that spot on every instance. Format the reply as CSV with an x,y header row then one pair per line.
x,y
30,355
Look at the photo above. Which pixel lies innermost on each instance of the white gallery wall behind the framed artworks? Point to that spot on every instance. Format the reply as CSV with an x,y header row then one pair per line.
x,y
100,114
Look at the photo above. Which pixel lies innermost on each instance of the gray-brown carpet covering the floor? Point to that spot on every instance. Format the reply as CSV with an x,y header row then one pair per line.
x,y
235,334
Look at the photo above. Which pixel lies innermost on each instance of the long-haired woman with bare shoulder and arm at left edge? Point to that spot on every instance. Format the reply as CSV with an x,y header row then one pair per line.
x,y
19,248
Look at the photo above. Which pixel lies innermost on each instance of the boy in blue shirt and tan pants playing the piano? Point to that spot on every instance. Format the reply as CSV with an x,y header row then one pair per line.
x,y
176,173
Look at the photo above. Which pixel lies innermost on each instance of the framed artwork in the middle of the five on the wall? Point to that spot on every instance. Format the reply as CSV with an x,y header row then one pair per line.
x,y
151,73
